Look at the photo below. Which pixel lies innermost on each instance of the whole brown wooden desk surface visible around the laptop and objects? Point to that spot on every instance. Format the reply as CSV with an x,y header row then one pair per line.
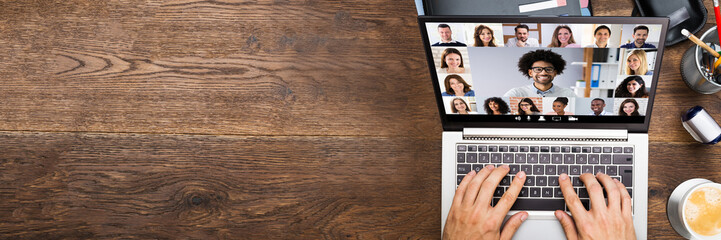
x,y
247,119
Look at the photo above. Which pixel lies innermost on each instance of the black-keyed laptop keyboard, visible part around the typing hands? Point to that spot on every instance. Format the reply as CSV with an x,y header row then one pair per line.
x,y
542,165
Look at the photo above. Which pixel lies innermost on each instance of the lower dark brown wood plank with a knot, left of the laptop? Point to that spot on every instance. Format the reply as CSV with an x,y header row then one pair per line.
x,y
67,185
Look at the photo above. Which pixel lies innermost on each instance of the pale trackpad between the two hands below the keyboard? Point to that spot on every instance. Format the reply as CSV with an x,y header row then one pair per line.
x,y
540,229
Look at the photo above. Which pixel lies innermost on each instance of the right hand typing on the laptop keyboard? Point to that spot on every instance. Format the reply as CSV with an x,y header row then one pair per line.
x,y
612,221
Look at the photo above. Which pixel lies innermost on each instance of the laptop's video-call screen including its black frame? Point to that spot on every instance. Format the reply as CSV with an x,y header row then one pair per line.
x,y
537,71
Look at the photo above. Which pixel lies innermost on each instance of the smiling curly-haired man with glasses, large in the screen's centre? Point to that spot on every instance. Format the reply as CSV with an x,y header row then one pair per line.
x,y
542,66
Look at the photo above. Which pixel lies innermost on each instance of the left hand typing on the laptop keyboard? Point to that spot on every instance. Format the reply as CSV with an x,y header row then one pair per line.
x,y
471,215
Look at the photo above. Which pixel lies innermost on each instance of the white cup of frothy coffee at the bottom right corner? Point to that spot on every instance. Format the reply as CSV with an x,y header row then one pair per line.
x,y
694,209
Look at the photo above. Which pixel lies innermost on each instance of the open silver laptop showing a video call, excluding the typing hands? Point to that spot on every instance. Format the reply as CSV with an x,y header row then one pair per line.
x,y
545,95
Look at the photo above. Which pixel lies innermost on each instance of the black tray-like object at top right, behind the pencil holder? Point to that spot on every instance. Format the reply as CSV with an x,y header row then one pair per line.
x,y
688,14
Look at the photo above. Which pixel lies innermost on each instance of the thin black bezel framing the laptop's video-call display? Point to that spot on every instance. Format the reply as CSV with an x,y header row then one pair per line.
x,y
458,122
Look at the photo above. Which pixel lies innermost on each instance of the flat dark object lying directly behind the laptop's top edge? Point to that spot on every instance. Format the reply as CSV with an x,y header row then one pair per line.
x,y
505,7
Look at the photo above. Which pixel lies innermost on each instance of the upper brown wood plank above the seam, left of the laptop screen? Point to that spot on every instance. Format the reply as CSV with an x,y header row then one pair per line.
x,y
215,67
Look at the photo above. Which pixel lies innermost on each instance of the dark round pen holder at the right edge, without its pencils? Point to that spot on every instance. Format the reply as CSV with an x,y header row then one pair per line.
x,y
691,69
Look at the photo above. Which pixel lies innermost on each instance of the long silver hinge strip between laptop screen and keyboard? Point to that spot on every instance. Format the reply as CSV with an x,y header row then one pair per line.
x,y
545,134
